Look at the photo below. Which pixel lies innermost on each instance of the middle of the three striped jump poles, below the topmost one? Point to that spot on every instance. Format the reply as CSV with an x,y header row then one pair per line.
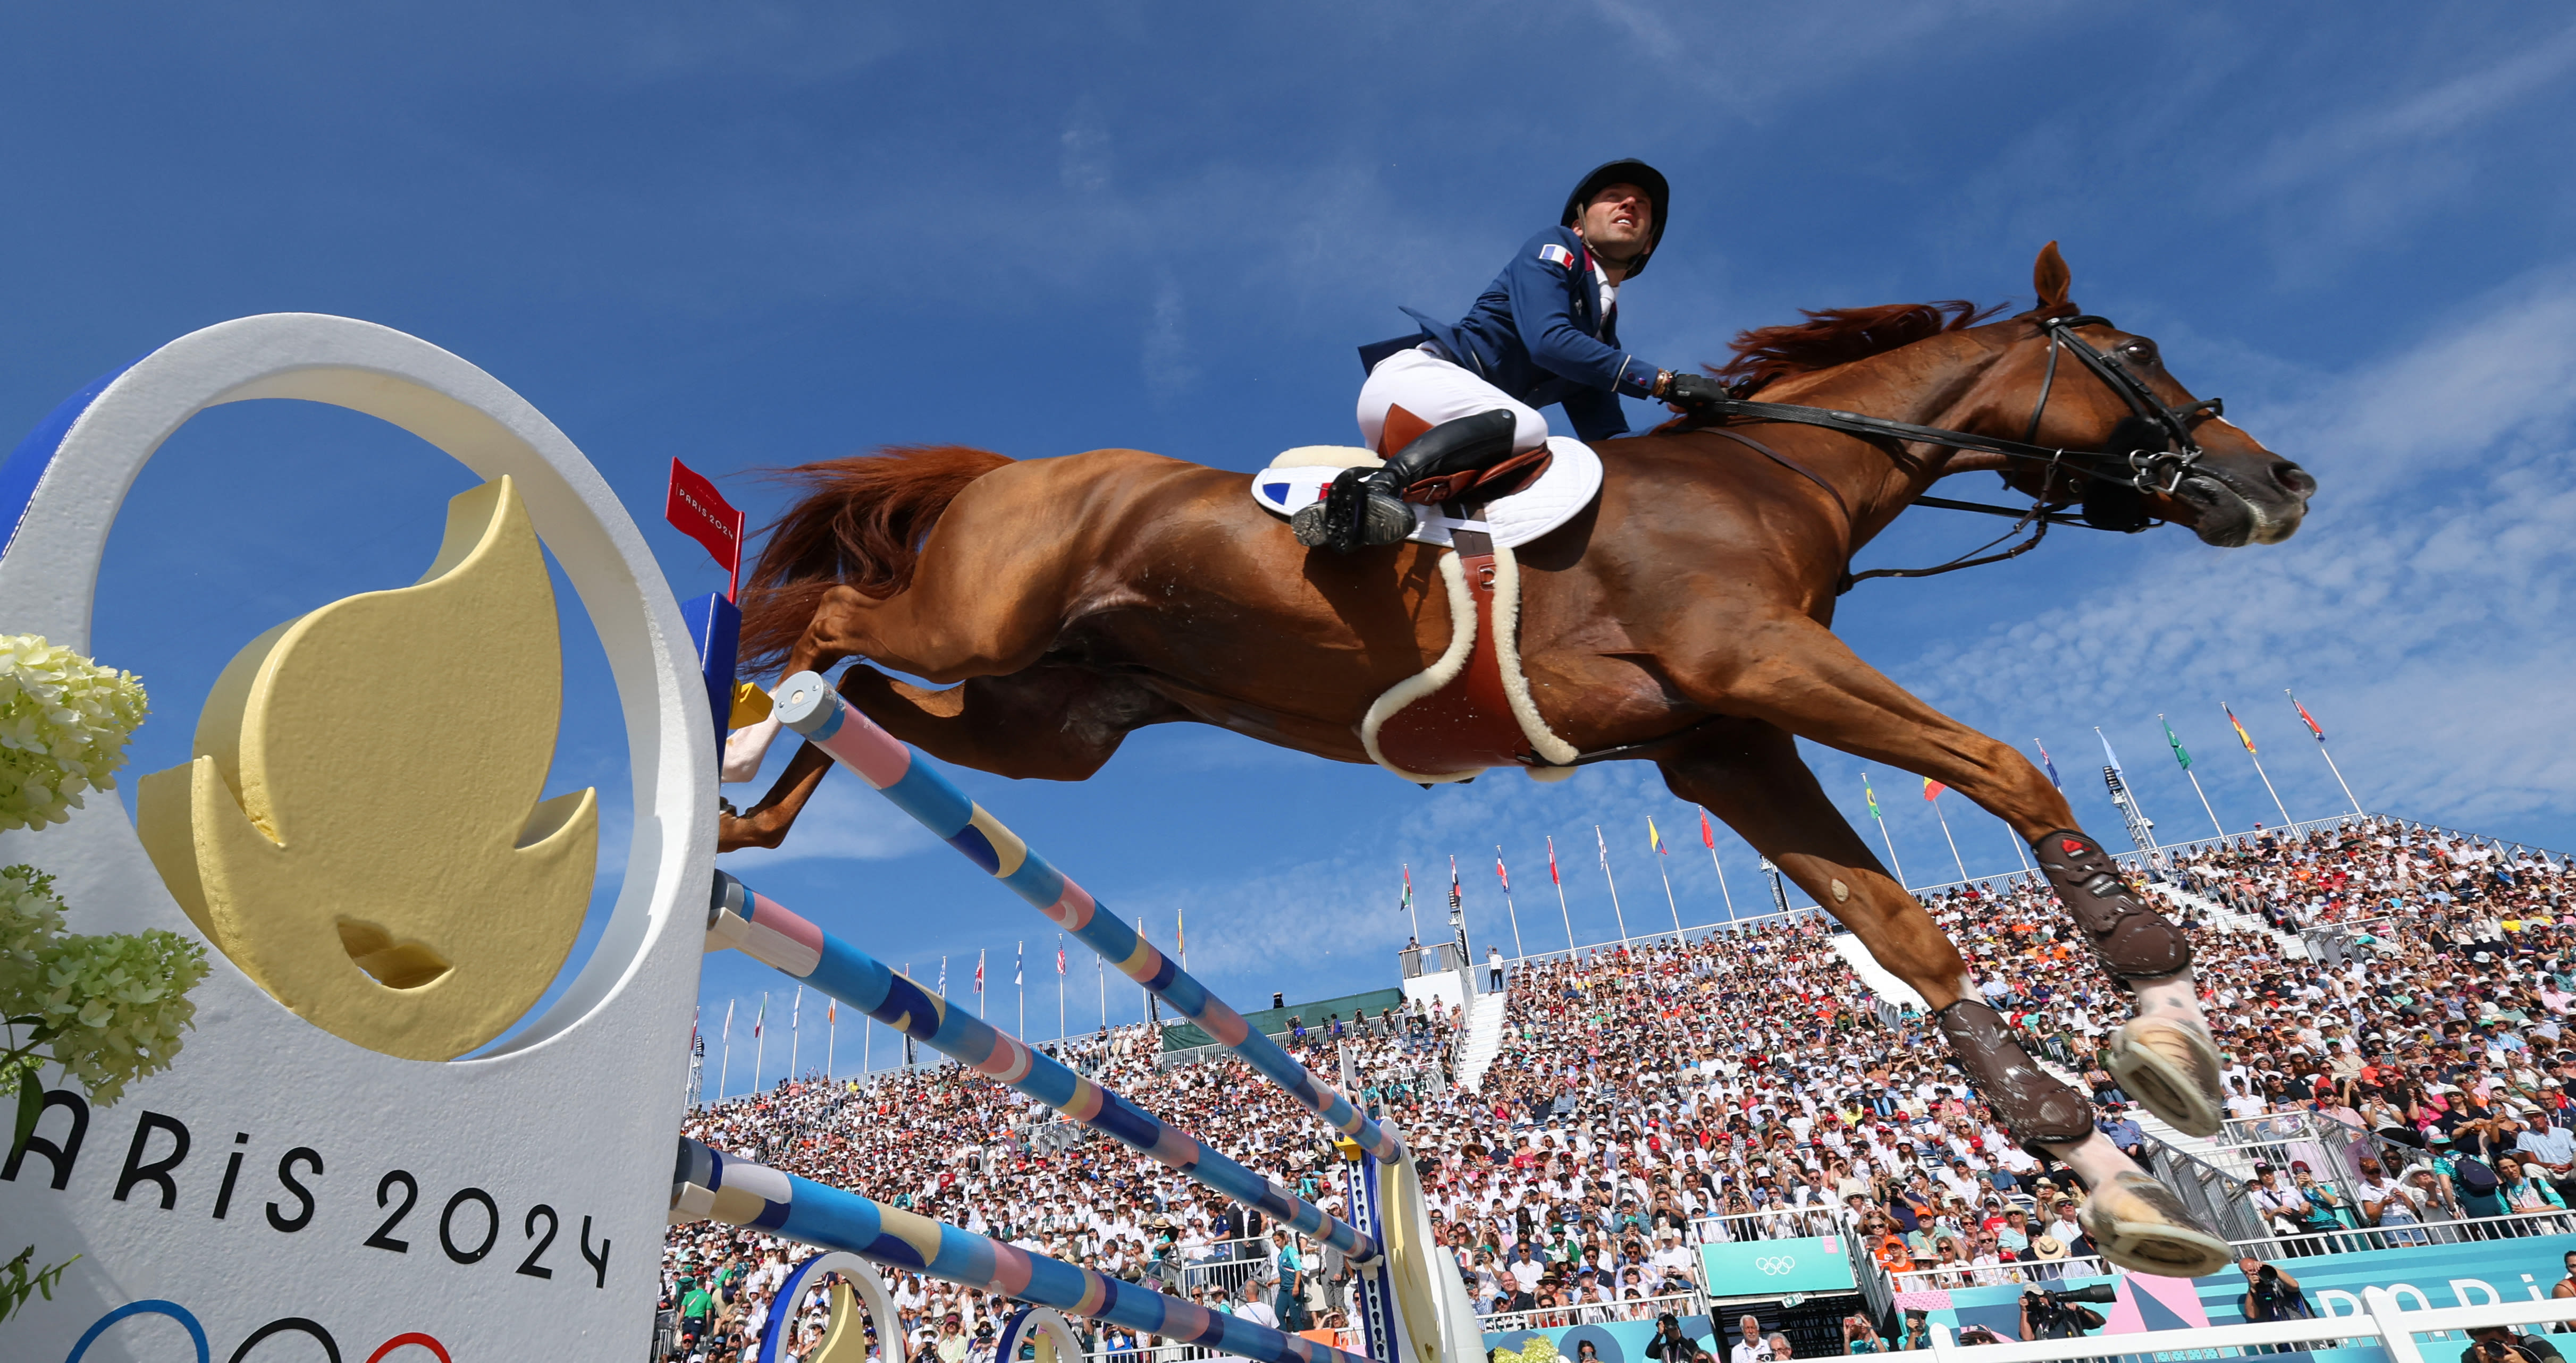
x,y
761,929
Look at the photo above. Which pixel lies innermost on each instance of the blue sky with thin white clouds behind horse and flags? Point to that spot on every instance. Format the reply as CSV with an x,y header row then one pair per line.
x,y
753,236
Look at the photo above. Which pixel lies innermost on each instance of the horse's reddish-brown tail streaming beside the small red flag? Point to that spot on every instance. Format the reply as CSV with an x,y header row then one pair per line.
x,y
862,524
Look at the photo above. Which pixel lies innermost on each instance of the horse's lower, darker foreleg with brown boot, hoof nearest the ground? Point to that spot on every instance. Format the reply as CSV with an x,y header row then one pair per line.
x,y
1750,777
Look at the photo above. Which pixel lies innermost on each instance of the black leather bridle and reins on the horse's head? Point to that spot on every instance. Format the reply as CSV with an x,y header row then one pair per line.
x,y
2116,481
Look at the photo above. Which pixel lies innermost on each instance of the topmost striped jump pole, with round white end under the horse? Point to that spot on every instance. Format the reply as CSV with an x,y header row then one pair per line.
x,y
880,759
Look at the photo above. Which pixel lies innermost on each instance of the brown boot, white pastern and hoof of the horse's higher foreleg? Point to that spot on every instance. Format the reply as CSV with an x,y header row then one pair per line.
x,y
2165,1055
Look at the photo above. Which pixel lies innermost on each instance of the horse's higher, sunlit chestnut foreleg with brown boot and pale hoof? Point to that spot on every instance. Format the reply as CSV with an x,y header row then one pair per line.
x,y
1810,684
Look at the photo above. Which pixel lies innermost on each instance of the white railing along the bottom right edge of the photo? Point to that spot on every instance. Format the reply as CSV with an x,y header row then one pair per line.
x,y
2379,1323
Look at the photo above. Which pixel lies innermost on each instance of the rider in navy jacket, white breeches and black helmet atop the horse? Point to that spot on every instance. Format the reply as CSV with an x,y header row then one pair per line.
x,y
1544,331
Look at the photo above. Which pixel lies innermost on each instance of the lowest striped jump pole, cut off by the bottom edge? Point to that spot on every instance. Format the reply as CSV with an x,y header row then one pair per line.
x,y
715,1187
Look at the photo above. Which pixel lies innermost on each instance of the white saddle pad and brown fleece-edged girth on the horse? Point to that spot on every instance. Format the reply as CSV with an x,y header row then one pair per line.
x,y
1470,710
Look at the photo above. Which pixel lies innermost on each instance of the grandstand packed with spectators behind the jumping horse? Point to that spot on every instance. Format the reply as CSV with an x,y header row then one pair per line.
x,y
1627,1130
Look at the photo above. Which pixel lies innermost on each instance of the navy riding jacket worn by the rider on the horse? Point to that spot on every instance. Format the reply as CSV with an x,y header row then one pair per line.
x,y
1539,334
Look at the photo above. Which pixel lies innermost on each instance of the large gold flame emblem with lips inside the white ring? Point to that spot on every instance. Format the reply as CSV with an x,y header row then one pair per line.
x,y
362,826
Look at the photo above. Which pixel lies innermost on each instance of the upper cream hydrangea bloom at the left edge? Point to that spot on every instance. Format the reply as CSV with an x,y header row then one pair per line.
x,y
63,728
